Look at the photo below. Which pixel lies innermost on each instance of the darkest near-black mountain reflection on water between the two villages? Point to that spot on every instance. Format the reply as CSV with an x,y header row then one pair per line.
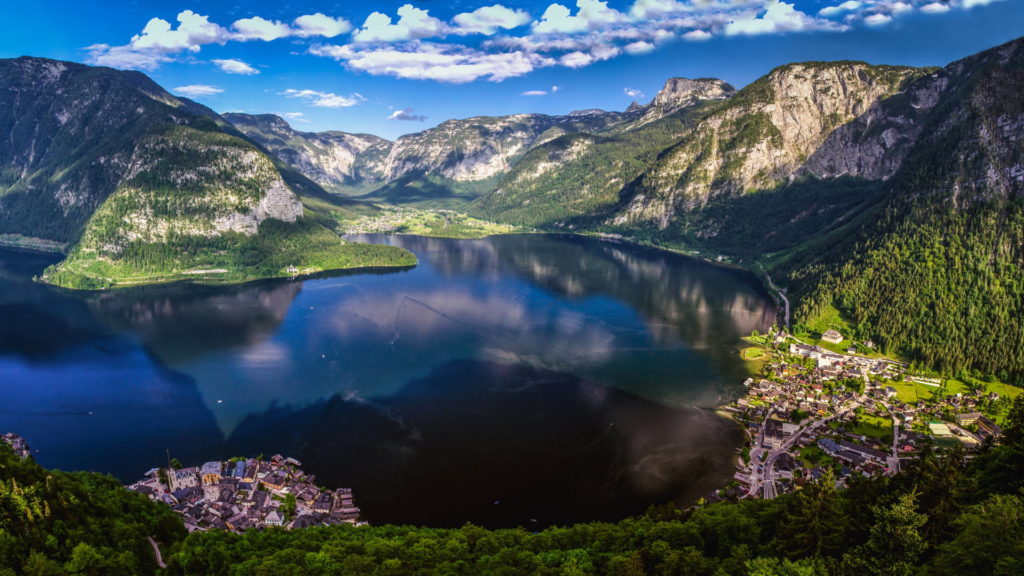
x,y
501,446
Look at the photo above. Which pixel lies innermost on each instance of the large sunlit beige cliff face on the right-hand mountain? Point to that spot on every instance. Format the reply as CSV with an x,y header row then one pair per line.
x,y
764,137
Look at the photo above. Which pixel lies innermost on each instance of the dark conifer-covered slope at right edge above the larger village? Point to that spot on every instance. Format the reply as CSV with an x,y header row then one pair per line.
x,y
937,271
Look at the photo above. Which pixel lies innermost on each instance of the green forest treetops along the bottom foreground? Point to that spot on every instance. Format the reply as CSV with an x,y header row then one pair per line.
x,y
945,515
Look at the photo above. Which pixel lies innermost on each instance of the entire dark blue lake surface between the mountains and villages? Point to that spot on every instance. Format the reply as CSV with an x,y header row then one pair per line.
x,y
514,381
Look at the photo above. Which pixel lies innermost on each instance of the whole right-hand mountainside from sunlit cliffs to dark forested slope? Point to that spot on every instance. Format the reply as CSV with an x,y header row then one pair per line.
x,y
887,197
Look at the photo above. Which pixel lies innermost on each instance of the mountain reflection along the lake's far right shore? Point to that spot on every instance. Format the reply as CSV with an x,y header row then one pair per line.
x,y
696,302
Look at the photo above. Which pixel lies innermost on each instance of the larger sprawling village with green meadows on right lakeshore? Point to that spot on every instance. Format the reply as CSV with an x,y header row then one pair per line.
x,y
837,405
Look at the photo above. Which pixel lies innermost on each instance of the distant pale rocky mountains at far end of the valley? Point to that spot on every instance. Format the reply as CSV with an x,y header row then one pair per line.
x,y
456,161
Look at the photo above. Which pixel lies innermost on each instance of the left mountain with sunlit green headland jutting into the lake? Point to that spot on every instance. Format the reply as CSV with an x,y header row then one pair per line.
x,y
141,187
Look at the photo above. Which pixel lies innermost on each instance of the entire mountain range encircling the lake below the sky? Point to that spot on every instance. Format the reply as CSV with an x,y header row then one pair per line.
x,y
887,198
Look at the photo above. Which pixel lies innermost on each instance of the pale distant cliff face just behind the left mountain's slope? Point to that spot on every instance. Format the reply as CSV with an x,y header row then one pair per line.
x,y
338,161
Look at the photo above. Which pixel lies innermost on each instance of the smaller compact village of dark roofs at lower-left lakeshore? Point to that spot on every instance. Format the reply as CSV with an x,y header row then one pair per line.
x,y
246,493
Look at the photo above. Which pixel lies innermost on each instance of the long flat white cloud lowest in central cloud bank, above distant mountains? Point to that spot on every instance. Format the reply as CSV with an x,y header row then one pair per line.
x,y
444,63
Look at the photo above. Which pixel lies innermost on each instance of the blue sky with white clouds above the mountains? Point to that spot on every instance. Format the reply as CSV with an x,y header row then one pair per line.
x,y
394,68
